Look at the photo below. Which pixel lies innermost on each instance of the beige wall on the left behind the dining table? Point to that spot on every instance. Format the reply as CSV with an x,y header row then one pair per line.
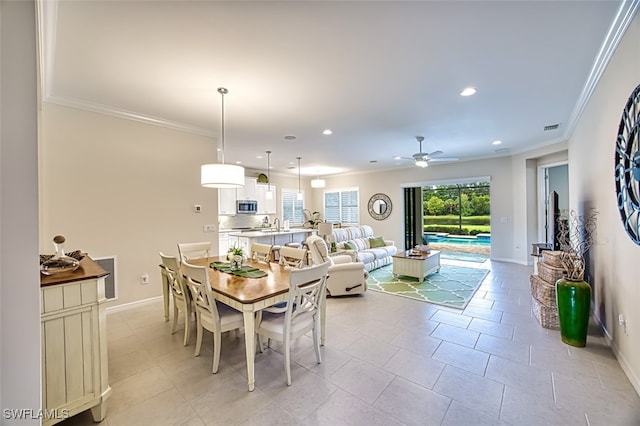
x,y
116,187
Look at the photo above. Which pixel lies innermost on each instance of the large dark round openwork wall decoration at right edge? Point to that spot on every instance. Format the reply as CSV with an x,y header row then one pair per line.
x,y
627,166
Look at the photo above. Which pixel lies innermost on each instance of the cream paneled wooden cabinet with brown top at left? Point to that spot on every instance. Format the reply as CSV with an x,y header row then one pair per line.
x,y
74,343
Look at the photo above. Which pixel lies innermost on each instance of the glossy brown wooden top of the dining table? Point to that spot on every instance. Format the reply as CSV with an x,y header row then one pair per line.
x,y
247,290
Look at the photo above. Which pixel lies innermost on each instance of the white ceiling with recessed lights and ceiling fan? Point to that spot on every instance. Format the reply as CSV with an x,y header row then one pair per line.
x,y
378,73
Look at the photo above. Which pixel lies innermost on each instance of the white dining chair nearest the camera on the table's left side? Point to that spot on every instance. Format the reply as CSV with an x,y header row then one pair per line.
x,y
210,315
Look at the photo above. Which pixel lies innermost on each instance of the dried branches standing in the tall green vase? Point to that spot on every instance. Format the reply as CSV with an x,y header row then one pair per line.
x,y
576,236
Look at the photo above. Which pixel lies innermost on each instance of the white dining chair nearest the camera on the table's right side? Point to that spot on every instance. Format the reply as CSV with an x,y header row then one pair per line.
x,y
306,297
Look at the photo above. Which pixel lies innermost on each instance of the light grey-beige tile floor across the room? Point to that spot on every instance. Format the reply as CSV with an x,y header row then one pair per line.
x,y
387,361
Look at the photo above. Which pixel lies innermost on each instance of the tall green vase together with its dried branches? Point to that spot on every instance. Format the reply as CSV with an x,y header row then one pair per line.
x,y
573,294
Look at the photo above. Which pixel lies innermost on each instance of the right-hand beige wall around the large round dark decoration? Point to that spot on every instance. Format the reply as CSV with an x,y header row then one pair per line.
x,y
614,259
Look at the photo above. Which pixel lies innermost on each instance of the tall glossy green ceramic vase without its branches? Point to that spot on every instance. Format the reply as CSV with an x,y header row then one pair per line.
x,y
574,306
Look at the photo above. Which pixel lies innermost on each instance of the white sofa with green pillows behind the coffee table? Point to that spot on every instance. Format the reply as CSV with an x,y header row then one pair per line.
x,y
360,241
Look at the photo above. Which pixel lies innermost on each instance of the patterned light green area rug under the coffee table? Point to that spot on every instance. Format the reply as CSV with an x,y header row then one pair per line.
x,y
453,286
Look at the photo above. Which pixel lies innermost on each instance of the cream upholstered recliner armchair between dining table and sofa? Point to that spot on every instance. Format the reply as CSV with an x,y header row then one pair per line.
x,y
345,277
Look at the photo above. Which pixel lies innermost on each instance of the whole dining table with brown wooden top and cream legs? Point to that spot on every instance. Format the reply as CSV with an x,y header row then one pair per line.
x,y
250,295
